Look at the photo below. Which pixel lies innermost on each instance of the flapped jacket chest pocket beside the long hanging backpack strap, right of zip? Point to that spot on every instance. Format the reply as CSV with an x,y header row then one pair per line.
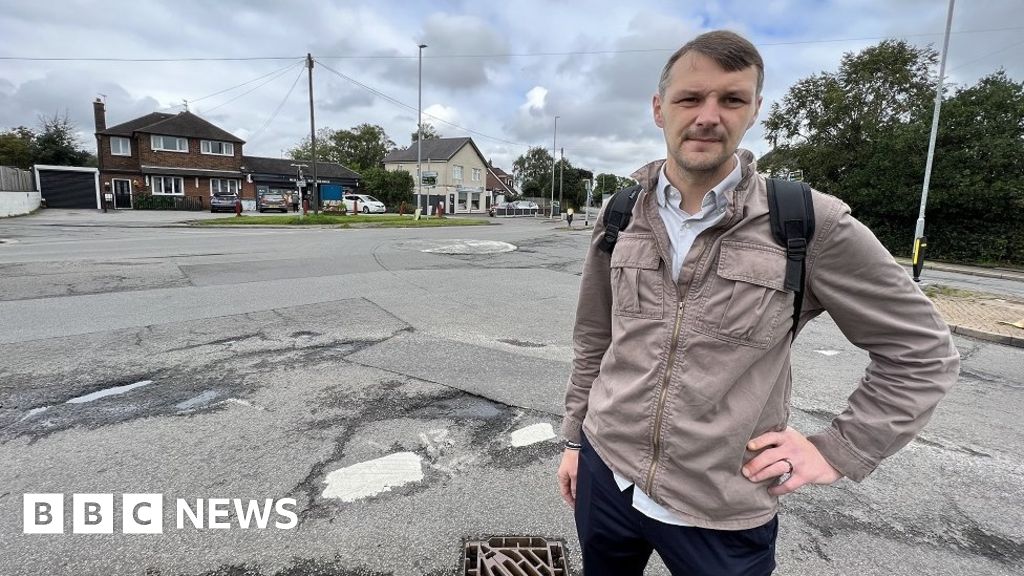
x,y
745,300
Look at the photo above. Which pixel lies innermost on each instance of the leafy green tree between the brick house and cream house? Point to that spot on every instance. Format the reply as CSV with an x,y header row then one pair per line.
x,y
361,149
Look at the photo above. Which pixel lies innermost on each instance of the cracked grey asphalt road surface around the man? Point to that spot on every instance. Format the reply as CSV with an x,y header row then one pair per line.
x,y
276,357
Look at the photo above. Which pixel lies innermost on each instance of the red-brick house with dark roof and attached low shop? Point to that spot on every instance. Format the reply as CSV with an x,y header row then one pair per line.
x,y
188,159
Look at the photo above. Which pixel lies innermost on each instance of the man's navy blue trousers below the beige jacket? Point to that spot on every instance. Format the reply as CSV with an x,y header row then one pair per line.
x,y
618,541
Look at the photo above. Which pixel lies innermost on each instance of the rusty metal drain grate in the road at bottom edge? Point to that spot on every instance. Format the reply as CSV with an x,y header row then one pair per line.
x,y
515,556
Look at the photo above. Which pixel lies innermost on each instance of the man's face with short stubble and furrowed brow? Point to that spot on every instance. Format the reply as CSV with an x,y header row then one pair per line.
x,y
705,113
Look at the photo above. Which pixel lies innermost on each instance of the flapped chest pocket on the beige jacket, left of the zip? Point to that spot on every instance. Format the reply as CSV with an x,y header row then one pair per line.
x,y
637,283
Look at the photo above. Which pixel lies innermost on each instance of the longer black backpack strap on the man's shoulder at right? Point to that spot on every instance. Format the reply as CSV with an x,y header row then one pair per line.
x,y
792,212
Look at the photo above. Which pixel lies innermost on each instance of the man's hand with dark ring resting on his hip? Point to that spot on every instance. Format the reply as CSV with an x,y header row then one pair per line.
x,y
785,450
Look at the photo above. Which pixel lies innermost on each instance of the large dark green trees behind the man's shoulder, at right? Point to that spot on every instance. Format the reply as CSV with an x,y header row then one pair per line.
x,y
862,134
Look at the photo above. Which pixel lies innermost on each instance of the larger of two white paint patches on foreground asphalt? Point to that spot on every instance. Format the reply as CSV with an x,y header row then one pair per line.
x,y
372,478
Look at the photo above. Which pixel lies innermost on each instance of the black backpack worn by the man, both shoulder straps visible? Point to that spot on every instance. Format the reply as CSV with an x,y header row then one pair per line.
x,y
790,208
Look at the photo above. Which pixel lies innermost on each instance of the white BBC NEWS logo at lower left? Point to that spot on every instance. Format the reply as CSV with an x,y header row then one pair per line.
x,y
144,514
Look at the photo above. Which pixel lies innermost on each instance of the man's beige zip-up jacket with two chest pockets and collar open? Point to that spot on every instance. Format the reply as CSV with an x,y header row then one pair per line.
x,y
671,381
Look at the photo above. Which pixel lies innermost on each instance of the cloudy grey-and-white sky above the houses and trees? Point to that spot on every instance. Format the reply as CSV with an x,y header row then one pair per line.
x,y
499,72
